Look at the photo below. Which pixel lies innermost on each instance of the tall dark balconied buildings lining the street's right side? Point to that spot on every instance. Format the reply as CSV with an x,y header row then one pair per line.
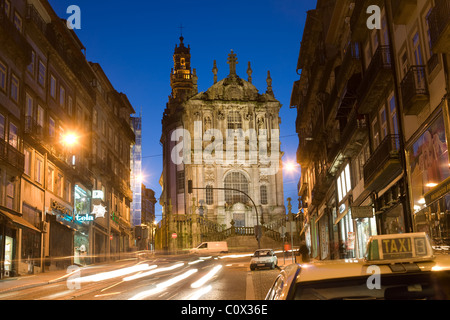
x,y
368,121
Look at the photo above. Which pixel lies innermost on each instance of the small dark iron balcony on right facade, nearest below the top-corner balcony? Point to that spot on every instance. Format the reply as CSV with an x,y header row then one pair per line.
x,y
415,93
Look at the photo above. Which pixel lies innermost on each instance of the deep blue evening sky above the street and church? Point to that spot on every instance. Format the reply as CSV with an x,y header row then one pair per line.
x,y
134,41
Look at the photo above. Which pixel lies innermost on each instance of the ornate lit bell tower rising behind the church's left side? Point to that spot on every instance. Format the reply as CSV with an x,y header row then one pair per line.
x,y
181,78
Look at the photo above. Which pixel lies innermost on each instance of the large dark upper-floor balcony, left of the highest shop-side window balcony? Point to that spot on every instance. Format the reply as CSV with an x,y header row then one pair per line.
x,y
377,78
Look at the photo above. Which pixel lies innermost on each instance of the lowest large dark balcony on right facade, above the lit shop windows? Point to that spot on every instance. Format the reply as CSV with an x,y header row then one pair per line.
x,y
384,164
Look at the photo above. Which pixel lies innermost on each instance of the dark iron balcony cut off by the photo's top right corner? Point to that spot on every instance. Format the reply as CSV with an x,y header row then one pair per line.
x,y
439,23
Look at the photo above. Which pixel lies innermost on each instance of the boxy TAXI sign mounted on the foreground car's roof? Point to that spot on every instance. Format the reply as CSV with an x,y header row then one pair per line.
x,y
396,248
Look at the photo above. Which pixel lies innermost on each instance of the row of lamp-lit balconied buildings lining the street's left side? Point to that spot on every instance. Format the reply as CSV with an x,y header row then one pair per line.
x,y
55,109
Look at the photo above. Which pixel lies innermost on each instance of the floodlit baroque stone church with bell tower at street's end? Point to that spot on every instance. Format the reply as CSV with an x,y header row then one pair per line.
x,y
226,140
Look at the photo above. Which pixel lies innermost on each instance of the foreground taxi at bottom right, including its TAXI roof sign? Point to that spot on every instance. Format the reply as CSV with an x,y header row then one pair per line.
x,y
400,266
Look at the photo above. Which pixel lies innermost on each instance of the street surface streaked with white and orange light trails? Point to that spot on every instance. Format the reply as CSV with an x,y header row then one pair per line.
x,y
184,277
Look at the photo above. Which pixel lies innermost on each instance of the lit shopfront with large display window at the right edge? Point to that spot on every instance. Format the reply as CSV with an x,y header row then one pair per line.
x,y
428,164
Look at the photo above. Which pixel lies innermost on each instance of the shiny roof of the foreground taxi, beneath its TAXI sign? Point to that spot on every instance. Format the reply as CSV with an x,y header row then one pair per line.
x,y
336,269
